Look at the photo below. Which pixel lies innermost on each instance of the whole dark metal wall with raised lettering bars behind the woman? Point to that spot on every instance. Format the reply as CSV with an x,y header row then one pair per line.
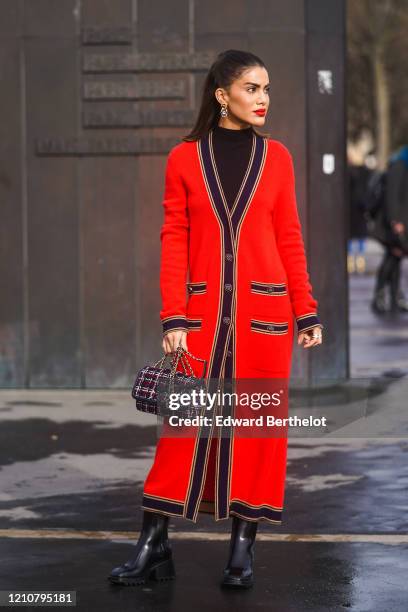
x,y
94,94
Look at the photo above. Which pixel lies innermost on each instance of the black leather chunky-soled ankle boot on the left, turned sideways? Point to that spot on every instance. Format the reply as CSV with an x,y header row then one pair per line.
x,y
153,554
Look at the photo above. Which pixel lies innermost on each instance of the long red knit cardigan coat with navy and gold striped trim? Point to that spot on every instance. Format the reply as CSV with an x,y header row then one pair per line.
x,y
247,284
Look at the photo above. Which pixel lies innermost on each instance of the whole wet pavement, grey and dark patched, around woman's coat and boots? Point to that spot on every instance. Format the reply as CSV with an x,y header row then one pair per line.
x,y
72,469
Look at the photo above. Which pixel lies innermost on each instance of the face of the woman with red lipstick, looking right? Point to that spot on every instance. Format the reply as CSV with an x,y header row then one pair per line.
x,y
246,96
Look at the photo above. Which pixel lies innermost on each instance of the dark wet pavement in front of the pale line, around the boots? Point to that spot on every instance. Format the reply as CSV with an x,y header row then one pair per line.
x,y
289,576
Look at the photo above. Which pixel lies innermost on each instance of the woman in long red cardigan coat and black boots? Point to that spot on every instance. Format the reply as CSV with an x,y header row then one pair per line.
x,y
231,221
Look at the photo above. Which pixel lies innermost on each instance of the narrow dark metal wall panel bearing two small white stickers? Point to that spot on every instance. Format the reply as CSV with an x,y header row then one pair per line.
x,y
326,196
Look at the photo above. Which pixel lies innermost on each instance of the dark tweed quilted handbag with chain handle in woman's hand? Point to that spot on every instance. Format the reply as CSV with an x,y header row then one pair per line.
x,y
154,384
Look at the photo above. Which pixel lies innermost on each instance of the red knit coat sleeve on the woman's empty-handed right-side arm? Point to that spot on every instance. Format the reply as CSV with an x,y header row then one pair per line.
x,y
291,248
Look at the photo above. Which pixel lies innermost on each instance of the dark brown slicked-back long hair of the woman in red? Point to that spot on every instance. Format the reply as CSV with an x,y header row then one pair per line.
x,y
228,66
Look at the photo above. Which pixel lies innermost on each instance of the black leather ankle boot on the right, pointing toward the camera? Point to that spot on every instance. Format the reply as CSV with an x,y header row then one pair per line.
x,y
239,570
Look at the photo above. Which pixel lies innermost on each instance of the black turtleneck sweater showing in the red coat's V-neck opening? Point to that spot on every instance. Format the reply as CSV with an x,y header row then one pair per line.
x,y
232,150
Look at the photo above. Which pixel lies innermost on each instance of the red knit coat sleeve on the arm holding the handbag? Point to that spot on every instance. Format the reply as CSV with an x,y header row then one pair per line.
x,y
174,237
